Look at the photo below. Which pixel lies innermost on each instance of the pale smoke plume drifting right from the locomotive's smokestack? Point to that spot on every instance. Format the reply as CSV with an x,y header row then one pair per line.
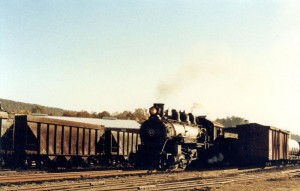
x,y
213,60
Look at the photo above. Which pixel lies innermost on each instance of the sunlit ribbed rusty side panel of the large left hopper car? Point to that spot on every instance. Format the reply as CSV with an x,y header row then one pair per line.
x,y
65,140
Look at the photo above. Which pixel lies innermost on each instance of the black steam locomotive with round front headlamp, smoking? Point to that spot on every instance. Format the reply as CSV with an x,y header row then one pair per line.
x,y
177,140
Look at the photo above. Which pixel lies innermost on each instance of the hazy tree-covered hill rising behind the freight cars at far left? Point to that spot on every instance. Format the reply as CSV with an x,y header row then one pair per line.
x,y
26,108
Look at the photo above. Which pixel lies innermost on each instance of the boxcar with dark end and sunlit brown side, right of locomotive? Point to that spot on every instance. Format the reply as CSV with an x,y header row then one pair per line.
x,y
261,145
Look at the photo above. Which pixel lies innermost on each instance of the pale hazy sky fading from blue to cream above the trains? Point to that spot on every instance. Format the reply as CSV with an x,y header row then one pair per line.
x,y
219,58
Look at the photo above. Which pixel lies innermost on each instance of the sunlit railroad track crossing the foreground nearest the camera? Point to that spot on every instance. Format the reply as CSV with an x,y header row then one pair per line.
x,y
163,181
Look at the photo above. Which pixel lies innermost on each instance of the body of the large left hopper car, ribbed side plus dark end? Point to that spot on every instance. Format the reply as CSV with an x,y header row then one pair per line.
x,y
35,137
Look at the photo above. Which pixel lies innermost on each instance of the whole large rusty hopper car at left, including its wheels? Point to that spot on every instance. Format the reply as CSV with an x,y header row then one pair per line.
x,y
43,141
